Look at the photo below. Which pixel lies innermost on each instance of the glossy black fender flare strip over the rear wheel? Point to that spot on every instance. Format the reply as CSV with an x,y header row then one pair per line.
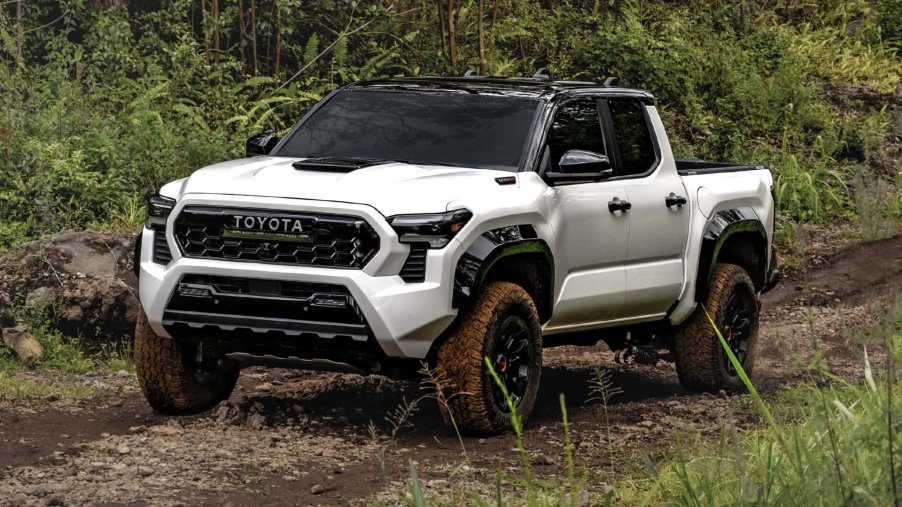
x,y
718,230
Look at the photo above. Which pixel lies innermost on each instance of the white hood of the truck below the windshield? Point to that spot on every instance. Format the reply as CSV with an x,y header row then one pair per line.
x,y
392,188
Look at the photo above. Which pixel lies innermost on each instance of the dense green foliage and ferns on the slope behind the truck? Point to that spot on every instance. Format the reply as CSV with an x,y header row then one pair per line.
x,y
103,106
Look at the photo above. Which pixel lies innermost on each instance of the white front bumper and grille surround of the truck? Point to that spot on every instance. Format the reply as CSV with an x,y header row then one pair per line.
x,y
403,318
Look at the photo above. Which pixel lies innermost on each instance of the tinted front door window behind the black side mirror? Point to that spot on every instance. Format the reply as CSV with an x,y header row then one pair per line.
x,y
576,127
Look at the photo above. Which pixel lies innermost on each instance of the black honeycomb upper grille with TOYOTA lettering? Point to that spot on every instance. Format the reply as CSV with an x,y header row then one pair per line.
x,y
319,240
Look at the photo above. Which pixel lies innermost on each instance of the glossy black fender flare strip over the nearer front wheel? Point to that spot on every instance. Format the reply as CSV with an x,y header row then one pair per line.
x,y
490,248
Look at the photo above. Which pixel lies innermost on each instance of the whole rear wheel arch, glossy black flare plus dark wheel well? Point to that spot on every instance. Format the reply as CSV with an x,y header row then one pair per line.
x,y
734,236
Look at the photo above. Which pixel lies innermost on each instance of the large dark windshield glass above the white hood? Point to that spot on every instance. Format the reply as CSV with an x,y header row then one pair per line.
x,y
468,130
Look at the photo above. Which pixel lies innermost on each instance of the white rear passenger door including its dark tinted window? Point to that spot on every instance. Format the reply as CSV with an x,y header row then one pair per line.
x,y
658,227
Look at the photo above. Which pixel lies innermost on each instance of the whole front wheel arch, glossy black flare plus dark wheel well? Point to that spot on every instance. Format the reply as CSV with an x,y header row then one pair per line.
x,y
512,254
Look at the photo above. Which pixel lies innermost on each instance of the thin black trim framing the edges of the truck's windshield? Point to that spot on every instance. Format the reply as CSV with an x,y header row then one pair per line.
x,y
524,152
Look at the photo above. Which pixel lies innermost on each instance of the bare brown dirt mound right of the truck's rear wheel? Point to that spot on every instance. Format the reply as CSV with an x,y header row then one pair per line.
x,y
863,272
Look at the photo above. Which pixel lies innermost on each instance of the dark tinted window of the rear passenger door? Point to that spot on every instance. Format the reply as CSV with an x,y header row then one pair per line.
x,y
637,153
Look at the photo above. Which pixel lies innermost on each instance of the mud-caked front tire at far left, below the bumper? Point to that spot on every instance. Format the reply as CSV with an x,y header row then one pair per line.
x,y
170,377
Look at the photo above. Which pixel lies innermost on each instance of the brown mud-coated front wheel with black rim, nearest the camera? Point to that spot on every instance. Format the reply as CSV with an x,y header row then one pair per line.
x,y
504,326
